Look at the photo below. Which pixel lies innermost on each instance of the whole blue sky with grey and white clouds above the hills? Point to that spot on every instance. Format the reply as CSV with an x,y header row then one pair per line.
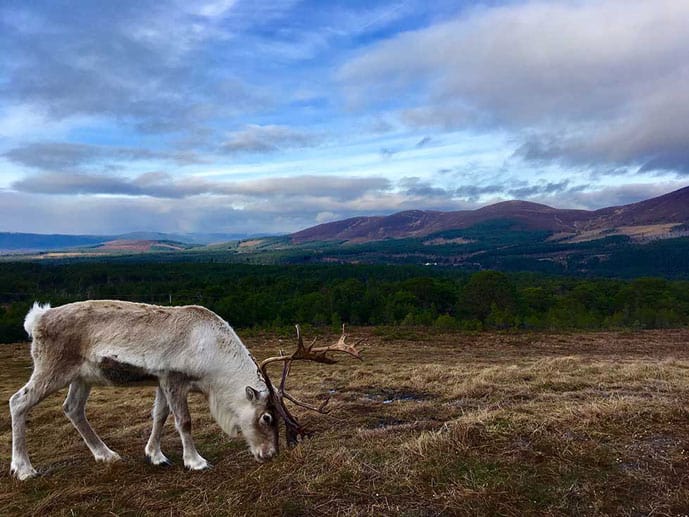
x,y
238,116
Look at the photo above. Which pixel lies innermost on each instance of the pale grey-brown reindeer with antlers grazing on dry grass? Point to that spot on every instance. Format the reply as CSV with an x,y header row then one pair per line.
x,y
179,349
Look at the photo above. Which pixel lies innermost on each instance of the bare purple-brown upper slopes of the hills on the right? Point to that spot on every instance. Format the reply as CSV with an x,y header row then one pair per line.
x,y
669,209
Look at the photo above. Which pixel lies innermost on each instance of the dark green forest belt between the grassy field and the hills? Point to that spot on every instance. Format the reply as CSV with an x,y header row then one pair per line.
x,y
260,297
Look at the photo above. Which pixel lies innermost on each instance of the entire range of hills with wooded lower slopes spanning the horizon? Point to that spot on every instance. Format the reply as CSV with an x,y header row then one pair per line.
x,y
648,238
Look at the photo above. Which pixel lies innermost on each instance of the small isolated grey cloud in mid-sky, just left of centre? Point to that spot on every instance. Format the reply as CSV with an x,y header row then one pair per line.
x,y
265,139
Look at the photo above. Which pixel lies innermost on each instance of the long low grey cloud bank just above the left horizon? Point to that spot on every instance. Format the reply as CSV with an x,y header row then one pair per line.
x,y
48,204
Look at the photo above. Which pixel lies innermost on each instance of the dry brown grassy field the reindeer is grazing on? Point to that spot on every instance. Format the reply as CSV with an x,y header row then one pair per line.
x,y
441,423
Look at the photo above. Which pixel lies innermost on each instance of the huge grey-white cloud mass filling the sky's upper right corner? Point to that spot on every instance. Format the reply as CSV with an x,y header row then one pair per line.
x,y
582,82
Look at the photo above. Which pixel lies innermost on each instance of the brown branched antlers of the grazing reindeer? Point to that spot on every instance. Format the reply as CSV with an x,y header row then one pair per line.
x,y
293,429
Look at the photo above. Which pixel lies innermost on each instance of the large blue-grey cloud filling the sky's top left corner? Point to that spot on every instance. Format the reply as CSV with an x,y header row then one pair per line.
x,y
144,63
